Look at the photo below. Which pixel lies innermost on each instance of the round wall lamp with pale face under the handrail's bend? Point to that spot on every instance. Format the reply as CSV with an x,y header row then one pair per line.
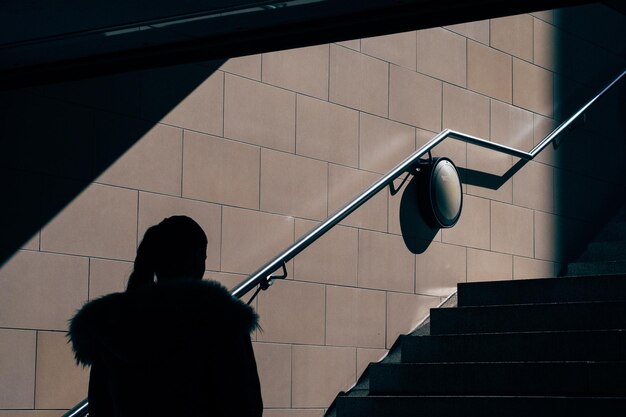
x,y
440,193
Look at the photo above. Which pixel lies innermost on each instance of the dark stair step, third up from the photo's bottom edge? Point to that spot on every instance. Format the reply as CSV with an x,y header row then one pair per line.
x,y
603,345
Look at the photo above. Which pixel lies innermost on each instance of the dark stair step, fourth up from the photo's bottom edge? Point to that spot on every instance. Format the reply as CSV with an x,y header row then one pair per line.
x,y
529,318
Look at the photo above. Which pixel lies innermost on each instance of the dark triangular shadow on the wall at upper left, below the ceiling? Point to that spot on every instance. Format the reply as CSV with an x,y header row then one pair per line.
x,y
56,139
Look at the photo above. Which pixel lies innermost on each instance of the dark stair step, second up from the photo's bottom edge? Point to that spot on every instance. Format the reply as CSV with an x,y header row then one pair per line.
x,y
573,379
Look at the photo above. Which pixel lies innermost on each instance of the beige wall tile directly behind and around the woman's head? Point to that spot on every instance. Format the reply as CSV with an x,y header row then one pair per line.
x,y
154,208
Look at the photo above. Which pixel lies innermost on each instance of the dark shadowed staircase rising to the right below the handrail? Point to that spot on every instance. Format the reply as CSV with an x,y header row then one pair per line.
x,y
542,347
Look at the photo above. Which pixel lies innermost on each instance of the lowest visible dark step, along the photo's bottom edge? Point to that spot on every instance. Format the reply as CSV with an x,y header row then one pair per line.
x,y
478,406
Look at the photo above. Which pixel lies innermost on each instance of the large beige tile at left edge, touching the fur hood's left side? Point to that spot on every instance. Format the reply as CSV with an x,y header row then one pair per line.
x,y
28,300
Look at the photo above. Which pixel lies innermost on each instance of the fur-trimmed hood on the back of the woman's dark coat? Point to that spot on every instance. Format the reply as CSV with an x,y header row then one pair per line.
x,y
150,324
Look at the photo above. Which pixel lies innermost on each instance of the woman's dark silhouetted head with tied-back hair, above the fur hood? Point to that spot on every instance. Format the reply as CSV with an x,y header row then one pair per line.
x,y
173,249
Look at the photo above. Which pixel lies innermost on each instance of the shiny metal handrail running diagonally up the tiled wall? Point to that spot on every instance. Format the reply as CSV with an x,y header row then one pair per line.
x,y
263,277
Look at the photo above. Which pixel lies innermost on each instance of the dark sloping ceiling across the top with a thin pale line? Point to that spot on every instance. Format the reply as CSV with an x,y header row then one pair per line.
x,y
43,41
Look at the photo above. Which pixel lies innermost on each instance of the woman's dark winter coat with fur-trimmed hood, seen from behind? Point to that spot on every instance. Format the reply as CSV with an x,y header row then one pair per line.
x,y
179,349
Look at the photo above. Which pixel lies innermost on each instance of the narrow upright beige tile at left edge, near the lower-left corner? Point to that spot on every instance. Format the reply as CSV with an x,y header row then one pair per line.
x,y
17,368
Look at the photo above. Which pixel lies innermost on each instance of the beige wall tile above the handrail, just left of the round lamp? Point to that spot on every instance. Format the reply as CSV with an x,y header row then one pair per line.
x,y
383,143
